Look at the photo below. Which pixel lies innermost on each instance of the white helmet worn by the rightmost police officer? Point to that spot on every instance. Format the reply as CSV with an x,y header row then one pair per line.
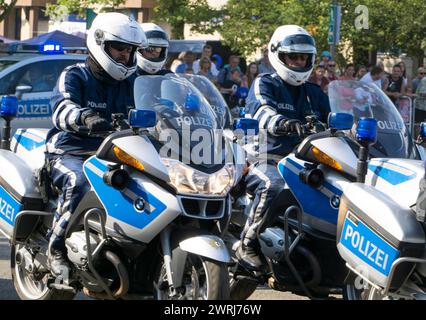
x,y
291,39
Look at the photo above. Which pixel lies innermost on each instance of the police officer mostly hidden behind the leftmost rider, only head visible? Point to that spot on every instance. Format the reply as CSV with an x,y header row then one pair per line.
x,y
152,58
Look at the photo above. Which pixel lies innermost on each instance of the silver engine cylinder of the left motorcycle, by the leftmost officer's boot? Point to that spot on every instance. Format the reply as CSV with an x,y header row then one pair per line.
x,y
77,247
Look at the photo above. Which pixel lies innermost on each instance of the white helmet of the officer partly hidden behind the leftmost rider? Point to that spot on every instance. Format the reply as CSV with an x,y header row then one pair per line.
x,y
157,38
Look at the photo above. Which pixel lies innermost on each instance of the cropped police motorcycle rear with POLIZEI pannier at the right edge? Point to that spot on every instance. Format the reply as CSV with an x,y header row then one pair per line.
x,y
380,234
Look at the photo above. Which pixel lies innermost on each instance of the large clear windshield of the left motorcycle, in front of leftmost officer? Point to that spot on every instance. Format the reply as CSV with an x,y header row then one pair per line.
x,y
187,126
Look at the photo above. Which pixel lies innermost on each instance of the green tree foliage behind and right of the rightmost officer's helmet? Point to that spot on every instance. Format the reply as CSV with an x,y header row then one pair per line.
x,y
392,24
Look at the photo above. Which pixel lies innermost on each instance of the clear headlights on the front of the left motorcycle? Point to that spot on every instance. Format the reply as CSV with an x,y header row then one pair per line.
x,y
189,180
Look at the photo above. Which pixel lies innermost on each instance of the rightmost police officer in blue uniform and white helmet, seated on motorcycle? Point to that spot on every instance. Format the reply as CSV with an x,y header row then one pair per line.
x,y
279,101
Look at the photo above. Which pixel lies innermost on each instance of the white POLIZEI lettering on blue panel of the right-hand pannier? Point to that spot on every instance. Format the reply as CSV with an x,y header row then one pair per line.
x,y
368,249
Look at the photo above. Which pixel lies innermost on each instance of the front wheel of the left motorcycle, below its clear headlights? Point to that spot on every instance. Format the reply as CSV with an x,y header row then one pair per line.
x,y
203,279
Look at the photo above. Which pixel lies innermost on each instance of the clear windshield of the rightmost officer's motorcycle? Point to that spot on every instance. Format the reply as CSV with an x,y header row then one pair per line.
x,y
367,100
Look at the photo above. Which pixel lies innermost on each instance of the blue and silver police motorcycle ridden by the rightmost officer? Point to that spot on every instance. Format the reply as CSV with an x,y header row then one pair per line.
x,y
298,241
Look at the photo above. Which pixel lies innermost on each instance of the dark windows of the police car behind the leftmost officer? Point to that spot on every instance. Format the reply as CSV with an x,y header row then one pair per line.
x,y
41,76
